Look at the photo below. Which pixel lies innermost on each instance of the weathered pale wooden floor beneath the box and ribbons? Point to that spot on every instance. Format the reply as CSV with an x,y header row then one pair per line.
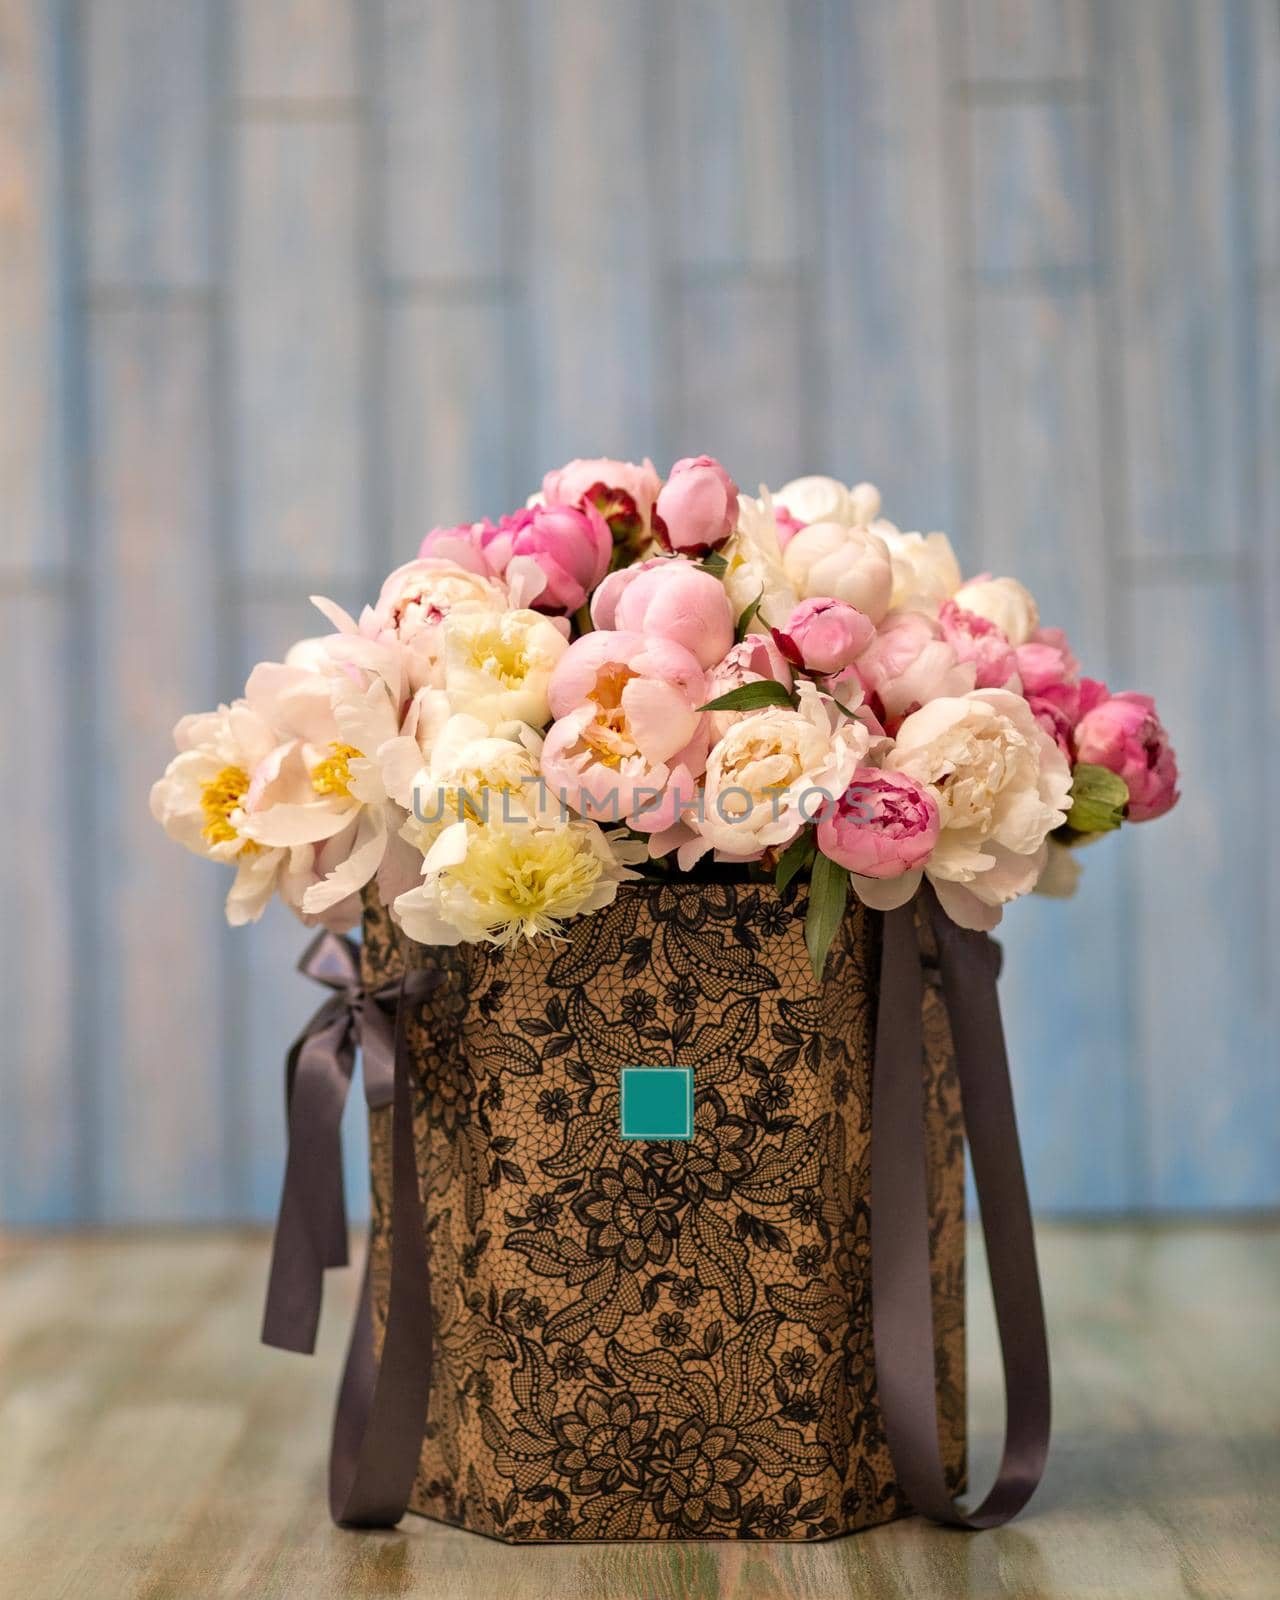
x,y
151,1450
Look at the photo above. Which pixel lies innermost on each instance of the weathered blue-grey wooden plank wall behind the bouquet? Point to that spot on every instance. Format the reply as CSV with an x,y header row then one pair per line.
x,y
286,282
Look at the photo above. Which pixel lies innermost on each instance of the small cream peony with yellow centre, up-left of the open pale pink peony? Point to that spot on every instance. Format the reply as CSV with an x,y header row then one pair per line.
x,y
498,666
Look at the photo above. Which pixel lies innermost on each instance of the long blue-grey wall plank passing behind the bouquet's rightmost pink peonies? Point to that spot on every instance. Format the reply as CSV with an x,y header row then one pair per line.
x,y
1041,511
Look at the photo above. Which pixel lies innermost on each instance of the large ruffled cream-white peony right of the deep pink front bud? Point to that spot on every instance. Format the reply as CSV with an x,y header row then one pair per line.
x,y
1002,786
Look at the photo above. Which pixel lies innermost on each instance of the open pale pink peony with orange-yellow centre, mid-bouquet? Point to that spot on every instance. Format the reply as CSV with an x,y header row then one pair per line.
x,y
630,740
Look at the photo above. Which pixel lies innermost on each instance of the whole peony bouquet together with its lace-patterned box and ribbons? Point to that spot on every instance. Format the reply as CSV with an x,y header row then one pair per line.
x,y
676,818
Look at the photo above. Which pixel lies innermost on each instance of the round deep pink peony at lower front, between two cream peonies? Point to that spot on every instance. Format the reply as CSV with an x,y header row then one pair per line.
x,y
882,826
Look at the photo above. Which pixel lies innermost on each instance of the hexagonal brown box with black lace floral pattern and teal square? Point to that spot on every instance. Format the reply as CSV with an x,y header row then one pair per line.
x,y
646,1337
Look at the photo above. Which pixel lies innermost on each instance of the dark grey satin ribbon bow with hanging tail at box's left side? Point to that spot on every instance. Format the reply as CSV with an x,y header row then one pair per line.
x,y
311,1228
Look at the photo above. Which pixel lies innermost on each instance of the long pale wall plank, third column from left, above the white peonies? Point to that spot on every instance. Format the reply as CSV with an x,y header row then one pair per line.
x,y
298,350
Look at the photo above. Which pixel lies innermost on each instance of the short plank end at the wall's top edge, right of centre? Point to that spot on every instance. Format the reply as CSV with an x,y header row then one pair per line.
x,y
1012,42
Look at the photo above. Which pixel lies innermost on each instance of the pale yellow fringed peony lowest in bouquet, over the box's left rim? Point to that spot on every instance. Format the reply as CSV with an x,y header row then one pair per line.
x,y
505,881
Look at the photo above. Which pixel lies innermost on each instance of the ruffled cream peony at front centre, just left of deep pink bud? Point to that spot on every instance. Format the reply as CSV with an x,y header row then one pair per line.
x,y
770,774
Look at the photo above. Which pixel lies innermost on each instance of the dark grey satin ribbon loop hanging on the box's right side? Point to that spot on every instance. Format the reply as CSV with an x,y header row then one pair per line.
x,y
900,1254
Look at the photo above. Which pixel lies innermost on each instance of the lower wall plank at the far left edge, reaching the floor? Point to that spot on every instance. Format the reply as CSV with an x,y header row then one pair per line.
x,y
42,1178
